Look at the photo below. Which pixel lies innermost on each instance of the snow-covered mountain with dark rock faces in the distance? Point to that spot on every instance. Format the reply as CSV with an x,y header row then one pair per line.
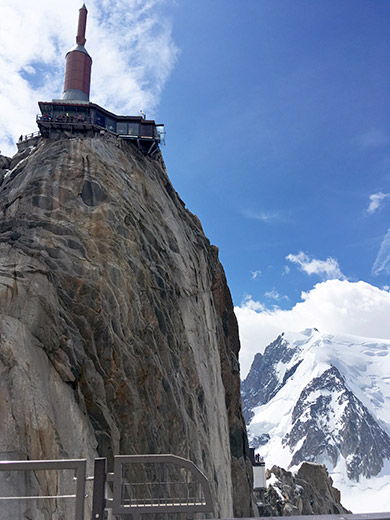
x,y
325,398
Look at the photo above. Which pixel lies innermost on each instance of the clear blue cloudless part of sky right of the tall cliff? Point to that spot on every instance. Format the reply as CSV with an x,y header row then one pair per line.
x,y
280,113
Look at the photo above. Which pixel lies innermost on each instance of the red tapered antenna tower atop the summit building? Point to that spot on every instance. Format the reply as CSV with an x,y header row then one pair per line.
x,y
78,65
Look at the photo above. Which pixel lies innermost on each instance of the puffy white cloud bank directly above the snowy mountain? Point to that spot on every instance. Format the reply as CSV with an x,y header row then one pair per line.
x,y
333,306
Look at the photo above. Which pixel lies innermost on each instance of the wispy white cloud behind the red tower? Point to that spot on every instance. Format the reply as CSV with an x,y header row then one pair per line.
x,y
130,42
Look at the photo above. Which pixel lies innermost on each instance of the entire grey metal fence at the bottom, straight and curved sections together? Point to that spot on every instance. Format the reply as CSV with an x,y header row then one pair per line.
x,y
141,484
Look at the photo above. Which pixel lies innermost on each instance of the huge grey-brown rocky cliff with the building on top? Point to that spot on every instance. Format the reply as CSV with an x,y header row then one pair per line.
x,y
117,331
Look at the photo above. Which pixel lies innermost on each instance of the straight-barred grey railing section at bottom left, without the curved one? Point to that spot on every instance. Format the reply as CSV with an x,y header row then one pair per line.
x,y
78,465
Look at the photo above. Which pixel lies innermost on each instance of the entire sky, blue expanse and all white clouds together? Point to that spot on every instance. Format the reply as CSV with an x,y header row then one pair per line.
x,y
278,136
